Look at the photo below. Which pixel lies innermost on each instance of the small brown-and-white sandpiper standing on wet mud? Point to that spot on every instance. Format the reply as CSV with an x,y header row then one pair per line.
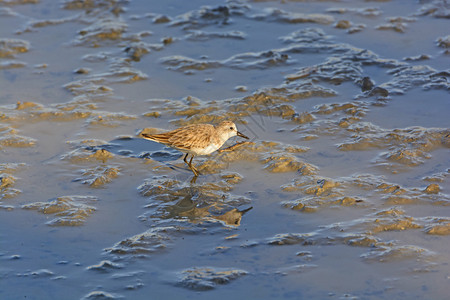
x,y
197,139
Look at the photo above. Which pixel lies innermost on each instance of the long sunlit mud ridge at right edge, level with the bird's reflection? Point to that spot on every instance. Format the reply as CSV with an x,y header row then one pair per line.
x,y
322,192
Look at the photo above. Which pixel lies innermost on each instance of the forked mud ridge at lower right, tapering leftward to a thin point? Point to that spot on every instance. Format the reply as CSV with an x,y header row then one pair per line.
x,y
362,233
